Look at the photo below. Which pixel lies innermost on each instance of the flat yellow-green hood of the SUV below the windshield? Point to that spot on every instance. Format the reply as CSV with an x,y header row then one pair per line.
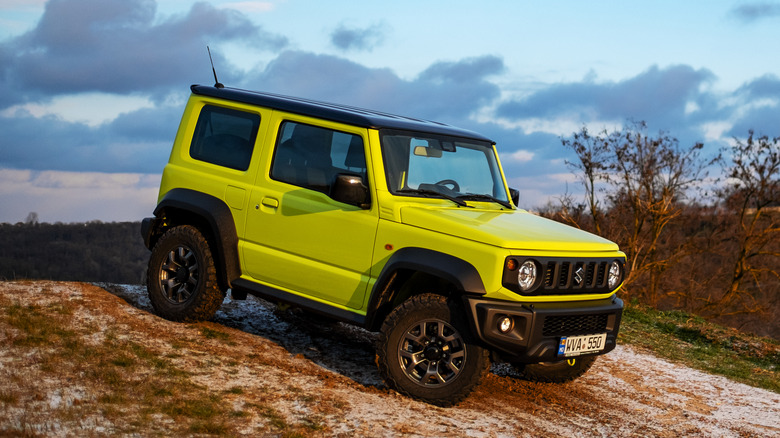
x,y
516,229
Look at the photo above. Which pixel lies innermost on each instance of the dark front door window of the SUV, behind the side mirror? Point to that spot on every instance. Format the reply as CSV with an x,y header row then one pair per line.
x,y
311,157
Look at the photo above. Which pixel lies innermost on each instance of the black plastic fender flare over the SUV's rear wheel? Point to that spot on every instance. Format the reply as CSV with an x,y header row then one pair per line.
x,y
185,206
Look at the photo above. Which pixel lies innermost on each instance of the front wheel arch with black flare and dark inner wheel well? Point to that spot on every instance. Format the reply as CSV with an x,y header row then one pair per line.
x,y
419,266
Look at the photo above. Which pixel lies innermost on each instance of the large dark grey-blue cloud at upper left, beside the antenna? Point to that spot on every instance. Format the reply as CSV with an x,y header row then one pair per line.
x,y
118,46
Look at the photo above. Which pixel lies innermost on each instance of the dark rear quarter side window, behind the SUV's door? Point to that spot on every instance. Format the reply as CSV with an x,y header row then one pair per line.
x,y
225,137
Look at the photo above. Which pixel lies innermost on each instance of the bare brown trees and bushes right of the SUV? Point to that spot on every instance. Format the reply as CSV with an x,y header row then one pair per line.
x,y
706,244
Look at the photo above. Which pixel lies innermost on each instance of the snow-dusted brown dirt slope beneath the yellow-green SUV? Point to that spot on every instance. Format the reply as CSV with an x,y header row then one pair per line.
x,y
282,375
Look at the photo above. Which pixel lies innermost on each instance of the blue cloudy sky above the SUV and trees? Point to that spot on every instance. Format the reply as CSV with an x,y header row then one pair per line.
x,y
93,90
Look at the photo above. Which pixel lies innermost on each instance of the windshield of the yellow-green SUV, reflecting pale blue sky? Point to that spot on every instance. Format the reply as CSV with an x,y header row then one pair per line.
x,y
419,164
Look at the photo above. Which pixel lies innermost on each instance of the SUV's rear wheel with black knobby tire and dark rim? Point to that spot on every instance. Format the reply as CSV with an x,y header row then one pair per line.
x,y
181,278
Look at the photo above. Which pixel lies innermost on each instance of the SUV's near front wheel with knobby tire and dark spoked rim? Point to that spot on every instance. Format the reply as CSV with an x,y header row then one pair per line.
x,y
429,334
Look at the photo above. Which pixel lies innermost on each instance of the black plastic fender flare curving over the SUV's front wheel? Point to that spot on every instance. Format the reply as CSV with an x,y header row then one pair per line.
x,y
448,267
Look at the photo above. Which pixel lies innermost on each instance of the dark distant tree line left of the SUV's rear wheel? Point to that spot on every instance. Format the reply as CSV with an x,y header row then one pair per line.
x,y
92,251
